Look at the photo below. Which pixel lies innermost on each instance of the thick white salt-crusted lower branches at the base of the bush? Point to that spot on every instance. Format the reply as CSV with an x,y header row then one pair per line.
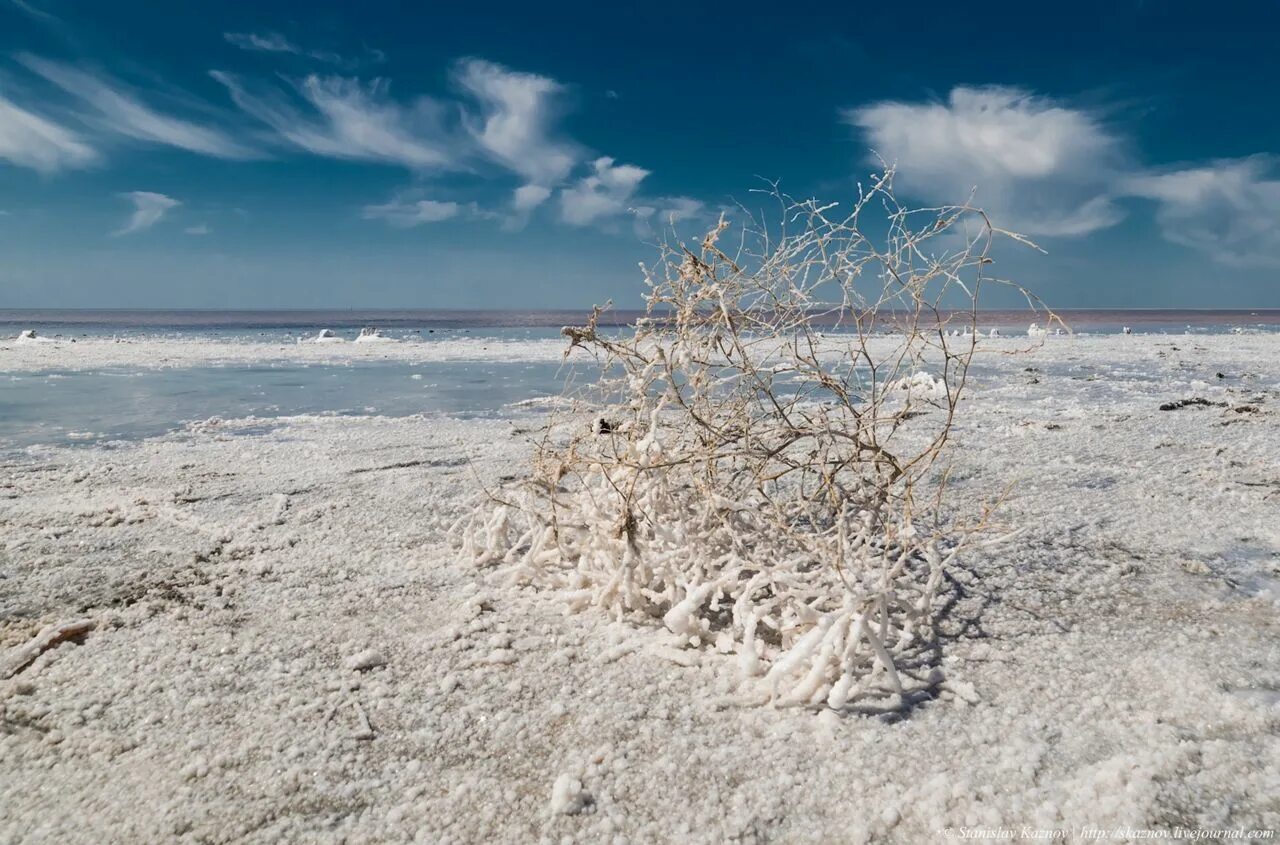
x,y
796,623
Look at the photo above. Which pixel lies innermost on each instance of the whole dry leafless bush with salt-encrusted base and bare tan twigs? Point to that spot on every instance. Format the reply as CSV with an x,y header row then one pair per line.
x,y
758,465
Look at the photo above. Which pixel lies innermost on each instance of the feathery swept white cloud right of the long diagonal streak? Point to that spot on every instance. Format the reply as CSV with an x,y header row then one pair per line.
x,y
353,121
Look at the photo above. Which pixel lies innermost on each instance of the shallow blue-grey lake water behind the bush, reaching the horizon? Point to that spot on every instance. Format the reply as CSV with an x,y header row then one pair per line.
x,y
97,406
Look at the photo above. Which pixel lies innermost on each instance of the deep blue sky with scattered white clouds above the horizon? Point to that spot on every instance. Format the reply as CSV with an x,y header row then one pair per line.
x,y
520,156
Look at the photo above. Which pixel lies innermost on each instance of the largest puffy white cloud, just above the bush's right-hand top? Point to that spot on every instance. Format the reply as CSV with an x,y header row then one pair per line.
x,y
1039,167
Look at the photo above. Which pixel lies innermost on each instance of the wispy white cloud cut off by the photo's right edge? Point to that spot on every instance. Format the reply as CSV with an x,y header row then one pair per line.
x,y
1229,211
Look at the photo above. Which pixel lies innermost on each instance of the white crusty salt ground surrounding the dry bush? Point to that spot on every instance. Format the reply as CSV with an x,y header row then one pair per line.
x,y
285,648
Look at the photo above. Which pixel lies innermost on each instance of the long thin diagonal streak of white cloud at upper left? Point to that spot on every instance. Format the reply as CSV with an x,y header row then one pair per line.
x,y
125,115
